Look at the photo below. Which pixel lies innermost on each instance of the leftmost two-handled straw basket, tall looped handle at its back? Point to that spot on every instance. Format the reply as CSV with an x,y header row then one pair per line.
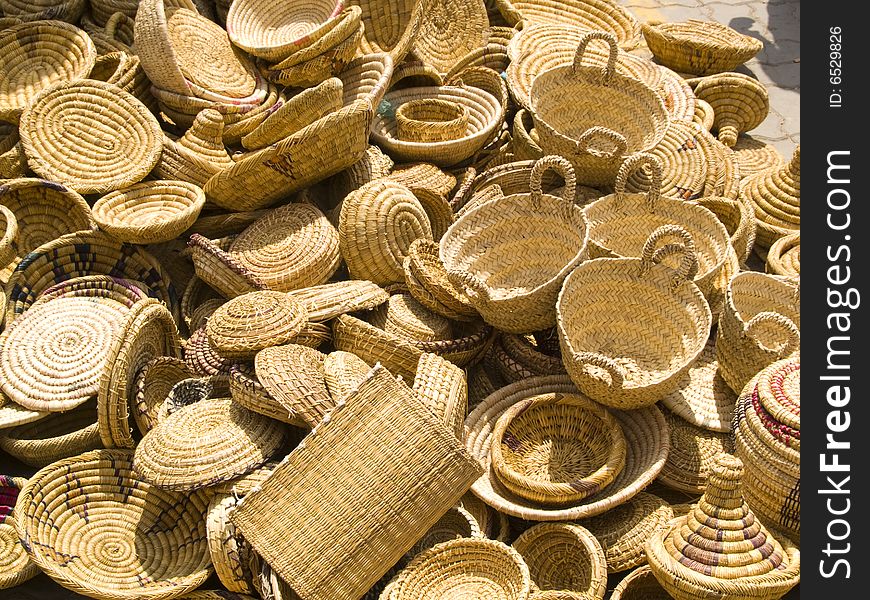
x,y
487,256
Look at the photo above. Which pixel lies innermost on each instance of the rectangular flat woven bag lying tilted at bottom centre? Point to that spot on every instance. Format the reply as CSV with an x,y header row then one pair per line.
x,y
358,492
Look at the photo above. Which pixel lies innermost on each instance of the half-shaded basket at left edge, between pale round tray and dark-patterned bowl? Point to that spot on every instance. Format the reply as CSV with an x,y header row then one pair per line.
x,y
53,438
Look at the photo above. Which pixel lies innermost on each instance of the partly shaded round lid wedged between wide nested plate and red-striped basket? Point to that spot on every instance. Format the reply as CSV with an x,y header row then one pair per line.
x,y
692,455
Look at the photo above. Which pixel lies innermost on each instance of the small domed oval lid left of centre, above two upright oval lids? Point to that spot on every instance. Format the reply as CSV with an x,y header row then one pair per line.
x,y
247,324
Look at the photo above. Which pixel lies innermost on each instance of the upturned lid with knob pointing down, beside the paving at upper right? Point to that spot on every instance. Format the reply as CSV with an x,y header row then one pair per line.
x,y
740,103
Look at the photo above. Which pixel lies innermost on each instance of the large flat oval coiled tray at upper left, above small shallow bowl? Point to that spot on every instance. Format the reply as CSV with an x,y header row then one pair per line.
x,y
90,135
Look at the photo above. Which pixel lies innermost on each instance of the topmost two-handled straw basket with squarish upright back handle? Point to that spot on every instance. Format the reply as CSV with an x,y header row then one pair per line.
x,y
595,117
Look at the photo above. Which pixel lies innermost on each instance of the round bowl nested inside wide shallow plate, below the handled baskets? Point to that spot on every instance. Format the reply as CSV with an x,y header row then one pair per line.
x,y
557,449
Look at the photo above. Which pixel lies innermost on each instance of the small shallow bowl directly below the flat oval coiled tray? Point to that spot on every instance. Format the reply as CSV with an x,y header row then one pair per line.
x,y
149,212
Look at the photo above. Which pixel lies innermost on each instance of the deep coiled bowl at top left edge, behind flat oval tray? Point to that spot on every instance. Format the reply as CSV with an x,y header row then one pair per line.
x,y
57,51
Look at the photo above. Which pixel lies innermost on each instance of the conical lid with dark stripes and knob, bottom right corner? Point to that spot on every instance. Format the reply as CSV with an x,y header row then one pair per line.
x,y
721,537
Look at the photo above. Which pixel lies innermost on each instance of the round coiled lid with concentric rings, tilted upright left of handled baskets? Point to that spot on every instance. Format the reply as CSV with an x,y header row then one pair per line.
x,y
389,214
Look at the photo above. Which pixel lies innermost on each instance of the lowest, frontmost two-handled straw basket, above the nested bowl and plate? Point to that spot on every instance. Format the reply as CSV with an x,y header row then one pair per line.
x,y
629,342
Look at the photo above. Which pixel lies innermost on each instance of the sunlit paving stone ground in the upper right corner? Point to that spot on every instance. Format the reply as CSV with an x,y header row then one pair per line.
x,y
777,24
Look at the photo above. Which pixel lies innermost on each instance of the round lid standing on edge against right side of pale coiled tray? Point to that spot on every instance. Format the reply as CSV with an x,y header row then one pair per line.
x,y
147,332
